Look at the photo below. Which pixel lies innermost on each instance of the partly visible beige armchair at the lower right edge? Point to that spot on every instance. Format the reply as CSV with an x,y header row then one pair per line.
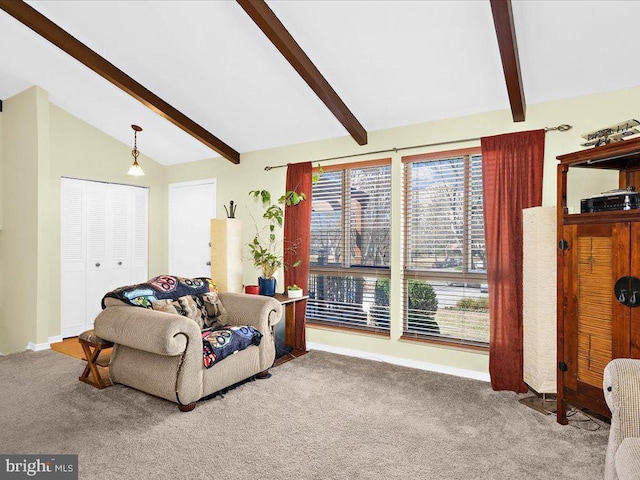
x,y
622,392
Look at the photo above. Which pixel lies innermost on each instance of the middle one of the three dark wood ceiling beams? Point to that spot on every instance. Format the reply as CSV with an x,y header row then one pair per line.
x,y
275,31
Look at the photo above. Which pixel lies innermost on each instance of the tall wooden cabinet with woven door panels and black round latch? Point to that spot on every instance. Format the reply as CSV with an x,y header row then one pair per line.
x,y
598,281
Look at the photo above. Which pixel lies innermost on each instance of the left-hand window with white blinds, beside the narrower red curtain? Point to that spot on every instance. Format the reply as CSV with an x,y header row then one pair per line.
x,y
350,247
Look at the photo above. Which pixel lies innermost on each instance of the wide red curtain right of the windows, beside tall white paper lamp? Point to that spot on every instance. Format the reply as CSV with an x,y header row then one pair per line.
x,y
512,167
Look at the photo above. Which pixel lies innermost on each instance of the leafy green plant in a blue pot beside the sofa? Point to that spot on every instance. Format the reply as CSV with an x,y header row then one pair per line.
x,y
267,253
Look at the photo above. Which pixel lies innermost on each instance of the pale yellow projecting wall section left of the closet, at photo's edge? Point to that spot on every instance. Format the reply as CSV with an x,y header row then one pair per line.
x,y
22,262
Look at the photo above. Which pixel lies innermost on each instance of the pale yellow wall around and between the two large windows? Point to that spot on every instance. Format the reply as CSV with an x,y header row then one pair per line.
x,y
235,181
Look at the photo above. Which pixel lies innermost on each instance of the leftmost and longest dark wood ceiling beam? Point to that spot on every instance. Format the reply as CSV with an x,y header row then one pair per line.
x,y
71,45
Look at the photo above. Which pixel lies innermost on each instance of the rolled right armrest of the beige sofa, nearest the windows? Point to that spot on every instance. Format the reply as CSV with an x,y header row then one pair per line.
x,y
256,310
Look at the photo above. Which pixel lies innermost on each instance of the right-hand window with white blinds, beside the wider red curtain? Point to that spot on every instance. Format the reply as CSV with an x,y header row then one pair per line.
x,y
445,294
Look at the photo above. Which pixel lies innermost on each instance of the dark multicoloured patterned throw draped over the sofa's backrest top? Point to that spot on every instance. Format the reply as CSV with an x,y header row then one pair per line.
x,y
161,288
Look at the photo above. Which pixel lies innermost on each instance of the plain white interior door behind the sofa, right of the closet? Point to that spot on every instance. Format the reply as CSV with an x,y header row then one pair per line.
x,y
192,205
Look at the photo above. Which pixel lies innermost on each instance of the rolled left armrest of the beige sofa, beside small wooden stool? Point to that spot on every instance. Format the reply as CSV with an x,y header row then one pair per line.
x,y
149,330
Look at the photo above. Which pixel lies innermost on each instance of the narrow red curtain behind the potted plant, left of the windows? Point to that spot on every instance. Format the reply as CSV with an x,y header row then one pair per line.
x,y
297,231
